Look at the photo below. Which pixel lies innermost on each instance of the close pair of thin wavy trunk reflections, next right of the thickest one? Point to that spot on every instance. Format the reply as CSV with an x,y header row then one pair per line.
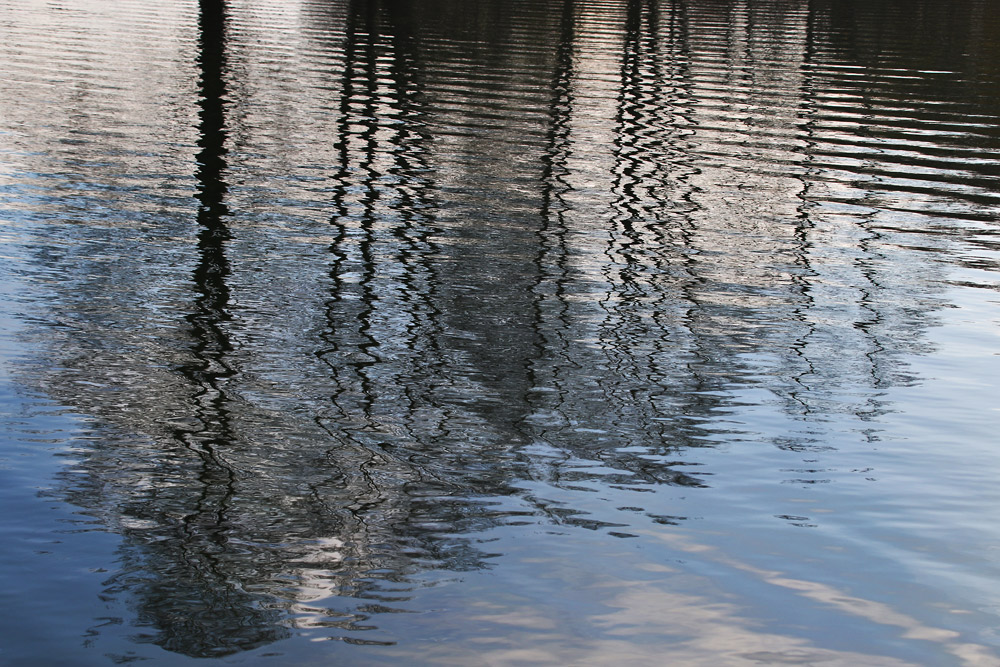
x,y
350,345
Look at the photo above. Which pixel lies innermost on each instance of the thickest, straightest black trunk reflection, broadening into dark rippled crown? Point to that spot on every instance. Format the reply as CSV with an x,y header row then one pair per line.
x,y
192,560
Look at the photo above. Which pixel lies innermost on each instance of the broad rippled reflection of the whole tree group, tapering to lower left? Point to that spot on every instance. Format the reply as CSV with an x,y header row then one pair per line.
x,y
559,241
